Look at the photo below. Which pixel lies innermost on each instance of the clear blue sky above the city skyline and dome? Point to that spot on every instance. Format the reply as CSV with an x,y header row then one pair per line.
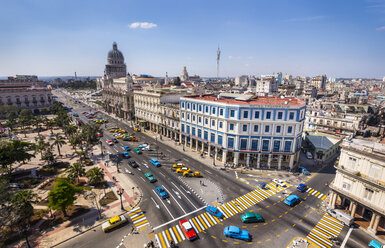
x,y
343,38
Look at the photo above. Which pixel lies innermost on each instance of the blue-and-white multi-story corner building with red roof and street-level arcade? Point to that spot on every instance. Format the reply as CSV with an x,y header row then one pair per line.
x,y
256,131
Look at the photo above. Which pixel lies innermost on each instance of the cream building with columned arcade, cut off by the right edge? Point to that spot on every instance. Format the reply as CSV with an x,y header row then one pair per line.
x,y
359,185
